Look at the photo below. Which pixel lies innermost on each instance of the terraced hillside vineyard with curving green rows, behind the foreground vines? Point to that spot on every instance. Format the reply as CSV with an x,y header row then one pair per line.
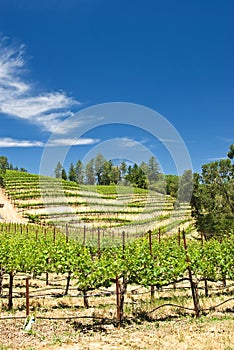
x,y
64,203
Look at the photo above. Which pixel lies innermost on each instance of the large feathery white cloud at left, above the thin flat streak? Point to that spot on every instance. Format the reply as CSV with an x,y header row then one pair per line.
x,y
18,98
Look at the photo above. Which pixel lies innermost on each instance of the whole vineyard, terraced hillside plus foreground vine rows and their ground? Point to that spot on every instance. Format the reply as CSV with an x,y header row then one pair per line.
x,y
112,282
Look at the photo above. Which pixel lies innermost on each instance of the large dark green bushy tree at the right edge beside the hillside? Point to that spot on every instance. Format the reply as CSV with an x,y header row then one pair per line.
x,y
213,198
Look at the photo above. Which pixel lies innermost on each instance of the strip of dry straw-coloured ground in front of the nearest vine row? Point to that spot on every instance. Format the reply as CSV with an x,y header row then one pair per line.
x,y
213,333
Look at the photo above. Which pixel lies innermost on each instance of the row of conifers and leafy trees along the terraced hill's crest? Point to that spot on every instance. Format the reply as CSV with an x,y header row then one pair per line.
x,y
147,175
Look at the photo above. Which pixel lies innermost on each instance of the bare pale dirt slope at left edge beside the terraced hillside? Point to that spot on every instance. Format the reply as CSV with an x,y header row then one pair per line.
x,y
9,213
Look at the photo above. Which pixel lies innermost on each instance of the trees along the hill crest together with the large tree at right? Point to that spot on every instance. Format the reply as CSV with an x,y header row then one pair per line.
x,y
210,193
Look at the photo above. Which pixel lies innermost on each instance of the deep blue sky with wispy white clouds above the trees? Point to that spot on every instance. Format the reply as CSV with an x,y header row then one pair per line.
x,y
60,57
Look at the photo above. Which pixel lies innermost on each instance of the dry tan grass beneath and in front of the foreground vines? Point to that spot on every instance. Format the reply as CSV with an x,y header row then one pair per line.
x,y
166,328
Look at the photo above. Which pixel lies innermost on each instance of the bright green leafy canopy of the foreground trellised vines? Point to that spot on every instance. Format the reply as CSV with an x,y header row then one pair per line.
x,y
32,250
